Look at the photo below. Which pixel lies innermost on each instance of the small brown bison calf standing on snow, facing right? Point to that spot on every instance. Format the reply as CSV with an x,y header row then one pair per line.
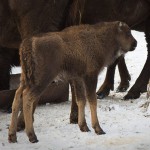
x,y
76,54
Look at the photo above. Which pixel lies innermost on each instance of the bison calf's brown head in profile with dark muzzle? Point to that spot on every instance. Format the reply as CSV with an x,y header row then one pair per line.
x,y
126,41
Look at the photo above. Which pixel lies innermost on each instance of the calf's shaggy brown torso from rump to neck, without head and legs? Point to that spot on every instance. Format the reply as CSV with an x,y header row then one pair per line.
x,y
76,51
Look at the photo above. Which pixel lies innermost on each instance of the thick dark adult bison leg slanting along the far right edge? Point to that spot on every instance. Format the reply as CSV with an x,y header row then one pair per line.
x,y
142,81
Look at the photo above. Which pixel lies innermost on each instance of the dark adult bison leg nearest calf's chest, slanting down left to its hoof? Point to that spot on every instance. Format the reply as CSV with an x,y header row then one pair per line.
x,y
109,81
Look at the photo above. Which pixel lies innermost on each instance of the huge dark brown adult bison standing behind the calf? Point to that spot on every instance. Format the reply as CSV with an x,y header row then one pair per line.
x,y
23,18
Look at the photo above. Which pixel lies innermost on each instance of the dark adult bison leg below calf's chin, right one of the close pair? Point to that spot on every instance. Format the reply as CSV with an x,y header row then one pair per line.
x,y
124,75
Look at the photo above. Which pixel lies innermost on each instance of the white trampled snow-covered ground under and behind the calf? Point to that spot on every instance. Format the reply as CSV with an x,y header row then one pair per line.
x,y
127,125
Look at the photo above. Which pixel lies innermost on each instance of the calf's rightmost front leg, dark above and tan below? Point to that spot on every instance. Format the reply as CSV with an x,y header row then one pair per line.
x,y
90,85
